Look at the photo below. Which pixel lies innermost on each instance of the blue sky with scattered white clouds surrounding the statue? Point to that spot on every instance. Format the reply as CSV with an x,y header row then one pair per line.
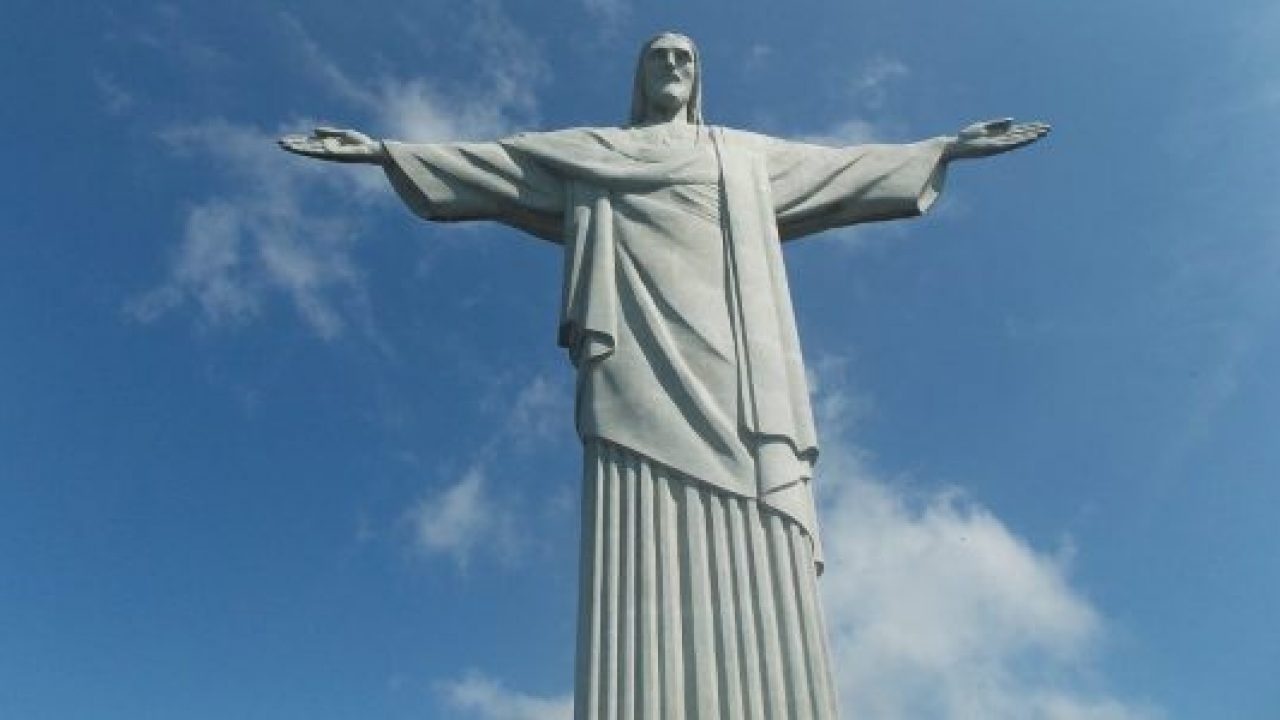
x,y
273,448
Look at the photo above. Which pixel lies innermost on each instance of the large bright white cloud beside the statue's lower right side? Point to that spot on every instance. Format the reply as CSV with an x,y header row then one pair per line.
x,y
936,609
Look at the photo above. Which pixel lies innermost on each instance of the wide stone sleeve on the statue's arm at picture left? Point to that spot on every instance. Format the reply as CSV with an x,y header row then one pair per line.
x,y
479,181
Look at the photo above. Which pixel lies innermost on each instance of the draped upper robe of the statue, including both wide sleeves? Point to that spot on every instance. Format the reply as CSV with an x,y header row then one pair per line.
x,y
675,309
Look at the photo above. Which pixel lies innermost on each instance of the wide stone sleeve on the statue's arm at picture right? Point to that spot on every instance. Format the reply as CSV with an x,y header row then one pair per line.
x,y
817,189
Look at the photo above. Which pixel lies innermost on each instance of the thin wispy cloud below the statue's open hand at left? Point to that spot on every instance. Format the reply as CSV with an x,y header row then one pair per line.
x,y
268,235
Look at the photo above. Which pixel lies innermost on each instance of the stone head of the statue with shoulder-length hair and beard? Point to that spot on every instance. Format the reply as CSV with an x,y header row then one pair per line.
x,y
669,75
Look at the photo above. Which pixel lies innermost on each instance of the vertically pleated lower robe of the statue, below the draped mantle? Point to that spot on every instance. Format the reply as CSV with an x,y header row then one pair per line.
x,y
696,604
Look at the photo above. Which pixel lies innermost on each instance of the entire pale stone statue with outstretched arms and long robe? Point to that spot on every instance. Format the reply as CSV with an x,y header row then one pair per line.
x,y
701,548
